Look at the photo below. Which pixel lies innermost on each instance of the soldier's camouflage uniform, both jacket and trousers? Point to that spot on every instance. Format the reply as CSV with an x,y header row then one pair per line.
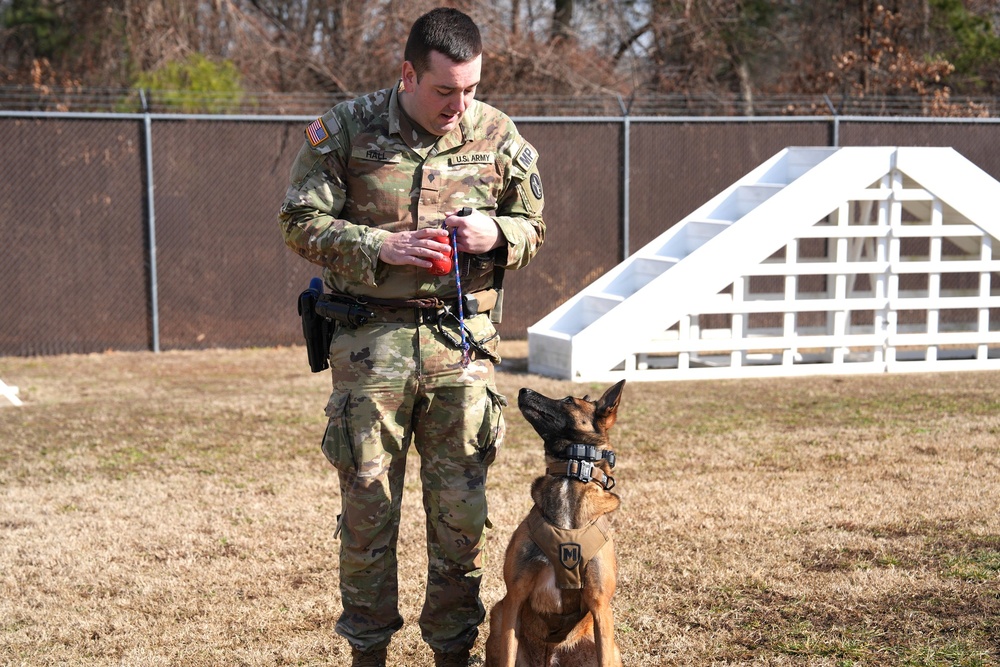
x,y
365,171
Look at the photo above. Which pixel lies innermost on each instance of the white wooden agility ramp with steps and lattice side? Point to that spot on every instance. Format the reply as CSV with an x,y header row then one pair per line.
x,y
819,261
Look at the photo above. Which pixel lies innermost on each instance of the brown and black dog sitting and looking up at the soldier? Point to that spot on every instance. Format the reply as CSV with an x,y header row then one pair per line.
x,y
560,567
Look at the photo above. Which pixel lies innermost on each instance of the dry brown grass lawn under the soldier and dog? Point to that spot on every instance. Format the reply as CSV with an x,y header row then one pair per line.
x,y
175,509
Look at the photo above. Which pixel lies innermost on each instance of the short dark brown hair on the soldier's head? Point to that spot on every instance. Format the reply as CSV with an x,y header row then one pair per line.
x,y
447,31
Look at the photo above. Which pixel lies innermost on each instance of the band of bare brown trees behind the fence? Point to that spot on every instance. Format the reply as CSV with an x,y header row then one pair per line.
x,y
722,48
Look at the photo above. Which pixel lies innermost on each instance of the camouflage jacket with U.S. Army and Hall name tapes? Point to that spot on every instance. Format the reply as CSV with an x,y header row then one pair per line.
x,y
362,174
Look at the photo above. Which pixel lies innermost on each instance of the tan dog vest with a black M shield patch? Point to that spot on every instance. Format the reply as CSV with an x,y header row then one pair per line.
x,y
569,551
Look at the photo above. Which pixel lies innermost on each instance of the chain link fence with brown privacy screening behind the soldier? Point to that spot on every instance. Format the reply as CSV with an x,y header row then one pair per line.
x,y
159,231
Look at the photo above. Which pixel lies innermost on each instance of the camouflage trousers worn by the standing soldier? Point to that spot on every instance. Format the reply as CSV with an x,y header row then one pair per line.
x,y
394,384
